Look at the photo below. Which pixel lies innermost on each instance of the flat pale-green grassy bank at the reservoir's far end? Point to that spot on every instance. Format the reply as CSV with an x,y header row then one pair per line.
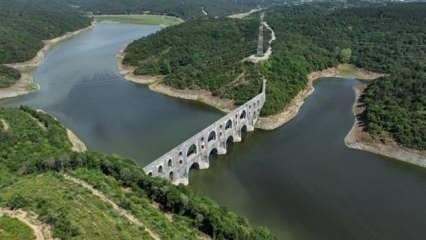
x,y
143,19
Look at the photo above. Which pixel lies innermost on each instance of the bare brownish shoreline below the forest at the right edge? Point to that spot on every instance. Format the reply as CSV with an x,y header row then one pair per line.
x,y
358,139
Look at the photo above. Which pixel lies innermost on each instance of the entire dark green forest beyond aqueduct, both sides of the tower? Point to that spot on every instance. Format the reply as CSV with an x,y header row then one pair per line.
x,y
390,39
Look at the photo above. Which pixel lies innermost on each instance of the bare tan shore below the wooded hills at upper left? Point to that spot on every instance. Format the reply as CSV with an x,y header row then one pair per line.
x,y
25,84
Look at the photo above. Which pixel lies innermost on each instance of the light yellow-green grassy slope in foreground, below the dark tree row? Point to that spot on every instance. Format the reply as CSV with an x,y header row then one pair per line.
x,y
72,211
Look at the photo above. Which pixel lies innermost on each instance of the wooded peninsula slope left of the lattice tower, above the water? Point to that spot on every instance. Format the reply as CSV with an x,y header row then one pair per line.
x,y
197,61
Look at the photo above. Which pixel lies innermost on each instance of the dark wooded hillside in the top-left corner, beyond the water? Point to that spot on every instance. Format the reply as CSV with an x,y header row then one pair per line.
x,y
25,24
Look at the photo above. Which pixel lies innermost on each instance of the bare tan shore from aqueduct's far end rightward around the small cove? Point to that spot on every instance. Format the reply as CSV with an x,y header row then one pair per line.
x,y
291,110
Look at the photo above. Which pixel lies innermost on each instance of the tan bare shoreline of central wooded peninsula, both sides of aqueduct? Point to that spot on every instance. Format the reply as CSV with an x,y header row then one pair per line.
x,y
226,105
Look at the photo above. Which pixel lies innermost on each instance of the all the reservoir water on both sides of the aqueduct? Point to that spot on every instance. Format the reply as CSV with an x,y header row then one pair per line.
x,y
300,180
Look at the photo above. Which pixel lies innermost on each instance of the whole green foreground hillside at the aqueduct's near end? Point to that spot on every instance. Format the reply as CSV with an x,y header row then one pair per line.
x,y
73,192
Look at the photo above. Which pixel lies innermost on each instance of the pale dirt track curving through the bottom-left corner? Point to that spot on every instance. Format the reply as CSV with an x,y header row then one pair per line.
x,y
41,231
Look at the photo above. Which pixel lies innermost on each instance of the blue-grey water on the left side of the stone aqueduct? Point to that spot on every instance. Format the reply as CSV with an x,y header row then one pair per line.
x,y
81,87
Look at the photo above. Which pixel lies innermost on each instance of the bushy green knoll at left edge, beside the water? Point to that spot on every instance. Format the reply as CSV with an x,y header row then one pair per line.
x,y
26,140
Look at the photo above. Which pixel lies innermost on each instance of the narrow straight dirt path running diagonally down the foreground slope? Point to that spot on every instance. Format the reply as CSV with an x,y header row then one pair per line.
x,y
120,210
